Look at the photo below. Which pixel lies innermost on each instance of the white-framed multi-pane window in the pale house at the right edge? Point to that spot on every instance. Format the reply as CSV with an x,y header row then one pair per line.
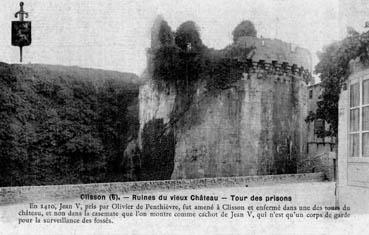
x,y
359,119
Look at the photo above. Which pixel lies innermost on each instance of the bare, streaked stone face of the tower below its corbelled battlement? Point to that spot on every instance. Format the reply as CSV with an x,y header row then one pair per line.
x,y
256,127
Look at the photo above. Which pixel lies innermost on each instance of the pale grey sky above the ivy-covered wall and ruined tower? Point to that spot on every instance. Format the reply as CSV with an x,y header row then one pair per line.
x,y
114,34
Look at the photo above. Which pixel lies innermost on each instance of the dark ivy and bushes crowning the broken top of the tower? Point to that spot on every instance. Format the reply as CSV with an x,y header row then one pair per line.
x,y
188,60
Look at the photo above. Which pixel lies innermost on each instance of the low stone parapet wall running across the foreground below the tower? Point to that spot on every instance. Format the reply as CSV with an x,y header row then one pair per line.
x,y
57,192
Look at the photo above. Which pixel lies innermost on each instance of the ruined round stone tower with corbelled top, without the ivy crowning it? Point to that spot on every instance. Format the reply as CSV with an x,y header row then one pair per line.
x,y
254,127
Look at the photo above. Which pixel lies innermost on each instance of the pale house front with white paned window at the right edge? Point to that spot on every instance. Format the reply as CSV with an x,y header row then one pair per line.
x,y
353,140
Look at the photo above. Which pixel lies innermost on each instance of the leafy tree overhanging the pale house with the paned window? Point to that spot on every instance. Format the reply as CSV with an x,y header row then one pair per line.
x,y
333,69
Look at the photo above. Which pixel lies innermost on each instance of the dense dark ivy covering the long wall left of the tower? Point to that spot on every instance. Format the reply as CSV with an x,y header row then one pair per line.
x,y
57,127
